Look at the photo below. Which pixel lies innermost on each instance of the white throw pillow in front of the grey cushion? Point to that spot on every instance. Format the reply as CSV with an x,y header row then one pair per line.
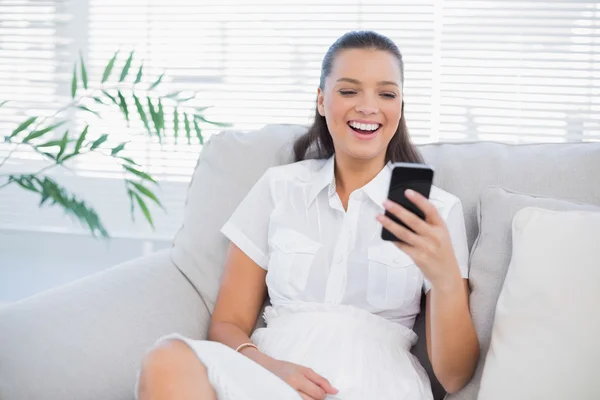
x,y
546,334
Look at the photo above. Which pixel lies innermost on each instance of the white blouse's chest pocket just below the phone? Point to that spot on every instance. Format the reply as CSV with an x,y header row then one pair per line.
x,y
394,279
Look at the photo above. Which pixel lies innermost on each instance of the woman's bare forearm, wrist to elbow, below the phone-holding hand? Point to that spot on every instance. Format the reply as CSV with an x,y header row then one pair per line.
x,y
452,343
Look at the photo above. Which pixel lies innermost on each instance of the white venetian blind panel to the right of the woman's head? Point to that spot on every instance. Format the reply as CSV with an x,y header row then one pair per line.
x,y
520,71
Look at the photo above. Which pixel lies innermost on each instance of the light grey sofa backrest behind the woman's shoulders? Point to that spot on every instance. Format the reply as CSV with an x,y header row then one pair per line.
x,y
232,162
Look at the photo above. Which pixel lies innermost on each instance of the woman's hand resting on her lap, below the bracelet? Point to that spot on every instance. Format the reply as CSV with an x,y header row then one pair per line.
x,y
307,382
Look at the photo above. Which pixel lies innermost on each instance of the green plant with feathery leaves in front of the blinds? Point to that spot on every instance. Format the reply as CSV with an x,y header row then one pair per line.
x,y
136,99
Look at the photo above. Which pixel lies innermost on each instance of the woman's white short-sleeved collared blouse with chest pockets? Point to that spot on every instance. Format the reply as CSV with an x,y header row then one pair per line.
x,y
293,224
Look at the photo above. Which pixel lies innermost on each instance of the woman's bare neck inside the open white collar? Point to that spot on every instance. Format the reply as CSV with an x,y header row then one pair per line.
x,y
352,174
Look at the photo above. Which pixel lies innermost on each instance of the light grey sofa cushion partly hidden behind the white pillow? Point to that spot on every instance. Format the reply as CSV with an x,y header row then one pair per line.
x,y
490,258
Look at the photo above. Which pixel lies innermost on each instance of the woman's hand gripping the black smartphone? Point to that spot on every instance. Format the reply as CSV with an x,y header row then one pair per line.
x,y
429,245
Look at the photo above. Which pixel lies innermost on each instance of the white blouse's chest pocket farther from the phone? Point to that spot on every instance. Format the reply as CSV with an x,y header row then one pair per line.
x,y
292,257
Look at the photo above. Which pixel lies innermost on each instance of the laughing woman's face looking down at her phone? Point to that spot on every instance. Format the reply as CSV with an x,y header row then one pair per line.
x,y
362,102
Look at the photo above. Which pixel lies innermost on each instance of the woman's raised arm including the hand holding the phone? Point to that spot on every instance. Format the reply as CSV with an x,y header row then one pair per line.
x,y
452,343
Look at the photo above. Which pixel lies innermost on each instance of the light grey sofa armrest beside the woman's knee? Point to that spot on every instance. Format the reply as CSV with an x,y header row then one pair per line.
x,y
85,340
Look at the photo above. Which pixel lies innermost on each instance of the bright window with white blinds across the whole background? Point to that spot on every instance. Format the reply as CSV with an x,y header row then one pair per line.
x,y
514,71
